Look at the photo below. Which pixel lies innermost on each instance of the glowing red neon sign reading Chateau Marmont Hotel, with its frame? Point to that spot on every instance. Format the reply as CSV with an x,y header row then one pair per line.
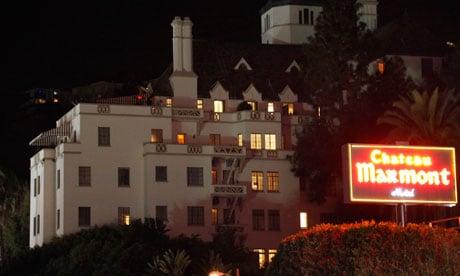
x,y
399,174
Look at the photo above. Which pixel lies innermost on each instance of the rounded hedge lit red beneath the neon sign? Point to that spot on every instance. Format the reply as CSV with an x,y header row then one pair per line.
x,y
369,248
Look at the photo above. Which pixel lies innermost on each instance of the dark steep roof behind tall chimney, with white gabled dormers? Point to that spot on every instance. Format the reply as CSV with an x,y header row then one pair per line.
x,y
215,62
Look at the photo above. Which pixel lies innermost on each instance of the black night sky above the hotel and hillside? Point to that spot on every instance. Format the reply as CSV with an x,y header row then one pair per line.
x,y
71,43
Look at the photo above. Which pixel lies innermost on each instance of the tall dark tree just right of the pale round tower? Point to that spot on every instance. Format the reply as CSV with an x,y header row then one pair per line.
x,y
338,54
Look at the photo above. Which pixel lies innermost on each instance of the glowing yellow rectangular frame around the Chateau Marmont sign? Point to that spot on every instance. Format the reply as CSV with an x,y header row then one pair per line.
x,y
348,184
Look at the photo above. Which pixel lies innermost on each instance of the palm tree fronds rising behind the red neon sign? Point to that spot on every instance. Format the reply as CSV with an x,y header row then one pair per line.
x,y
425,118
